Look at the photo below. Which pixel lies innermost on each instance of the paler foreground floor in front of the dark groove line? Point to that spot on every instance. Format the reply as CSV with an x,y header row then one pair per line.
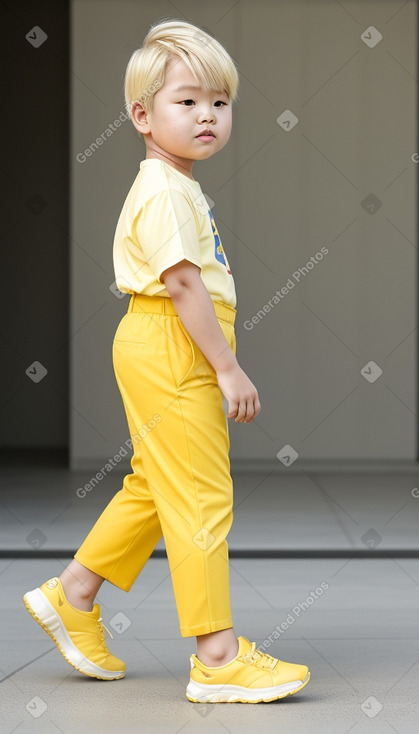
x,y
359,638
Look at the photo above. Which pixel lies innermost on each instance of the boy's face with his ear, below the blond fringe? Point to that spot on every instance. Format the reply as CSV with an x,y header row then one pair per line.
x,y
177,119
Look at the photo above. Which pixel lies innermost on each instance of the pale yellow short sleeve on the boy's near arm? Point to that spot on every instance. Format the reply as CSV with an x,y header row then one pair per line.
x,y
167,232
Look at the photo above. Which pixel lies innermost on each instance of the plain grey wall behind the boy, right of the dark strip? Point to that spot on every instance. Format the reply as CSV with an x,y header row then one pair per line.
x,y
342,179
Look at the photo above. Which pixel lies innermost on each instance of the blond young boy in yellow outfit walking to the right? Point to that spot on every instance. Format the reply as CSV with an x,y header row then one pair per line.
x,y
174,359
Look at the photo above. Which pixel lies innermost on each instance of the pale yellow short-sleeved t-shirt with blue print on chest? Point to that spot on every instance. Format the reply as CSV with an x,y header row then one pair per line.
x,y
166,219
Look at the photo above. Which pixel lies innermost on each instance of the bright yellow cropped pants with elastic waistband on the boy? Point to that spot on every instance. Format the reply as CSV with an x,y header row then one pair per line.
x,y
180,486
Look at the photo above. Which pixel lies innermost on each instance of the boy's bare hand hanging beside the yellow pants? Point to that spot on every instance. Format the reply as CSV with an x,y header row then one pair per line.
x,y
241,394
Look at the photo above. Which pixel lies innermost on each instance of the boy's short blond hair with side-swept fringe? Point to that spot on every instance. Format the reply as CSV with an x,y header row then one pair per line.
x,y
209,62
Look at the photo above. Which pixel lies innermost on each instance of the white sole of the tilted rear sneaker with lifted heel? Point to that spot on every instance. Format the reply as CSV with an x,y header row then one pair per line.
x,y
44,613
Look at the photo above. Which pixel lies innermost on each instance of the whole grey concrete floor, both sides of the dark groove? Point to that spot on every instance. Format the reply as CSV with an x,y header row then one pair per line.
x,y
360,638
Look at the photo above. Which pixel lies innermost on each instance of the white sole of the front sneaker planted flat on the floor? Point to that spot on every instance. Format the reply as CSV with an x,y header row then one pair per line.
x,y
202,693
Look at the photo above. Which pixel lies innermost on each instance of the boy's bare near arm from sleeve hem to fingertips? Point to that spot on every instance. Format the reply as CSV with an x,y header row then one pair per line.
x,y
194,306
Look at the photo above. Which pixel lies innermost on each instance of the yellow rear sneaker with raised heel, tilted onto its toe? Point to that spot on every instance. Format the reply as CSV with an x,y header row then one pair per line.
x,y
78,635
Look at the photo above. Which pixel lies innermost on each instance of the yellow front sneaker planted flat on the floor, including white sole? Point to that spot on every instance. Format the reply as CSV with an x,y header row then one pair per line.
x,y
251,676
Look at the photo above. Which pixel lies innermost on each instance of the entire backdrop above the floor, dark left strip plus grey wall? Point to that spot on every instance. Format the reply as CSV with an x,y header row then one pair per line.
x,y
279,197
